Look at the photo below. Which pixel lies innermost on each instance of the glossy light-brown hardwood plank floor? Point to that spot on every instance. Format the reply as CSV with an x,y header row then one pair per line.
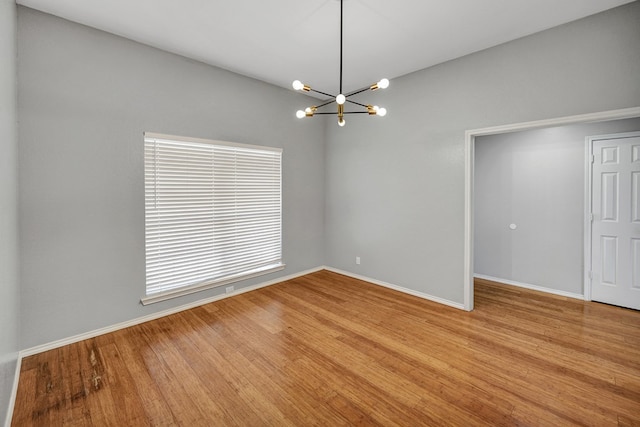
x,y
325,349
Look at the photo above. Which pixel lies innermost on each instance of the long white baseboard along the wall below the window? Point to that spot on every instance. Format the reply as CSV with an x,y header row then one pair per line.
x,y
97,332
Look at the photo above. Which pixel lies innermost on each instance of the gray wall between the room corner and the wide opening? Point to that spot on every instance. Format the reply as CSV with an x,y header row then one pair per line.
x,y
395,185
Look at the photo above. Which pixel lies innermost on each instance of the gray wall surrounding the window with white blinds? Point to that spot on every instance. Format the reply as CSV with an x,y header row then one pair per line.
x,y
85,98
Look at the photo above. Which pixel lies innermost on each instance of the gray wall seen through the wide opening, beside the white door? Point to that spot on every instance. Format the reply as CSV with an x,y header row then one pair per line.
x,y
534,179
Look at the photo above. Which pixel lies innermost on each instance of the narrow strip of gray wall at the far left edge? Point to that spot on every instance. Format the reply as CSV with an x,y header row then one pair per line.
x,y
9,291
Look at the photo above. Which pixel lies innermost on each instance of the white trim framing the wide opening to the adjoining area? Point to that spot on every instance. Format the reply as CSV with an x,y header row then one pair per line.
x,y
469,148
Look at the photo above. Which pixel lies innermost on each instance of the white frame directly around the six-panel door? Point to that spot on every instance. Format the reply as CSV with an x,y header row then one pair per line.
x,y
588,218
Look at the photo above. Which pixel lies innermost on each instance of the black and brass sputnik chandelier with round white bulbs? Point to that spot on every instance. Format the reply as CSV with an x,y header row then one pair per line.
x,y
341,99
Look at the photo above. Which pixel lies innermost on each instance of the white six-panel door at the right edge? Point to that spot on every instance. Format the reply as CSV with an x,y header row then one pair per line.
x,y
615,228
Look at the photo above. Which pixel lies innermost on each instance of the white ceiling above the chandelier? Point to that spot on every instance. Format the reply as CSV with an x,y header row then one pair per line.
x,y
278,41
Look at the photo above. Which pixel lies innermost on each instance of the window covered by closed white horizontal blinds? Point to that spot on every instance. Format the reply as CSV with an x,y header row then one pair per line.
x,y
212,214
